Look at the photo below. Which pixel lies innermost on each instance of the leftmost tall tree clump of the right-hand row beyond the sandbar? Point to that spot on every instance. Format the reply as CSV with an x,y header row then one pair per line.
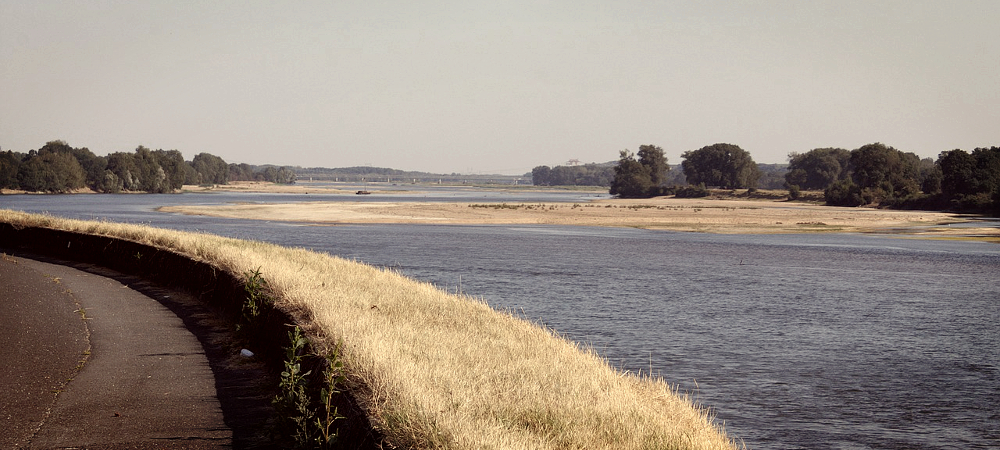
x,y
643,177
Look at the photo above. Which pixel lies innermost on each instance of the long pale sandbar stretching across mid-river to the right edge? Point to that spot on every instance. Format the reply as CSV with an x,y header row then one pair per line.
x,y
699,215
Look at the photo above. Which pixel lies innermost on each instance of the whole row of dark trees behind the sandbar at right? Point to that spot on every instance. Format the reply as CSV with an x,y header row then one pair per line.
x,y
874,174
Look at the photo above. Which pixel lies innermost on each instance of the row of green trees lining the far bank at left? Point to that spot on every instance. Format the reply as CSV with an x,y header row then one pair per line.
x,y
57,167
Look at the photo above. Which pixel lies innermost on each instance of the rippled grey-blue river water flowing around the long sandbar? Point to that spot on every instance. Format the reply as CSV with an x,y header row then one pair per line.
x,y
838,341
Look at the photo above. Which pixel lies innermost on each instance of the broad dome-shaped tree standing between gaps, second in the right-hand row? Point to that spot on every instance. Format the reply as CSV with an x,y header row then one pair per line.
x,y
724,165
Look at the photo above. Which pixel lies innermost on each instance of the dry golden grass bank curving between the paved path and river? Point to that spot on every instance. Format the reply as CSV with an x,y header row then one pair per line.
x,y
437,370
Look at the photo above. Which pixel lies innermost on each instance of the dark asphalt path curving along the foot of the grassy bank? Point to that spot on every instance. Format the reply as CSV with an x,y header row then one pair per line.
x,y
91,363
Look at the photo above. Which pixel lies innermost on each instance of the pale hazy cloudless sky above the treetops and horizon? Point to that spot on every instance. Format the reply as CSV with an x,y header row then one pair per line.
x,y
497,86
